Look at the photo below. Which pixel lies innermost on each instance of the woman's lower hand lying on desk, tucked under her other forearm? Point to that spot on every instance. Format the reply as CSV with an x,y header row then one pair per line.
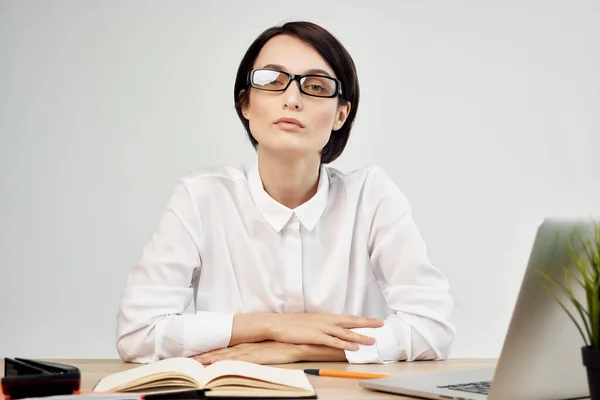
x,y
260,353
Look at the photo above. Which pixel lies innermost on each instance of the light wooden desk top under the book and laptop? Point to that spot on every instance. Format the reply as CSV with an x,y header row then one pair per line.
x,y
327,388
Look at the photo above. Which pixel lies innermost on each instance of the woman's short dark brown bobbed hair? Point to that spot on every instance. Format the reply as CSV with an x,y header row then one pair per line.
x,y
334,53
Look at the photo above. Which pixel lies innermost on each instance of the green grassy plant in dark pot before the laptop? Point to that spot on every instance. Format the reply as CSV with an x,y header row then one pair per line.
x,y
586,259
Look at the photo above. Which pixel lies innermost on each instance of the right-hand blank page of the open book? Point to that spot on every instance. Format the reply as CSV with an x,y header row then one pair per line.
x,y
286,377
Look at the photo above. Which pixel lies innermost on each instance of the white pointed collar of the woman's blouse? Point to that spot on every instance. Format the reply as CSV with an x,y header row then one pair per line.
x,y
278,215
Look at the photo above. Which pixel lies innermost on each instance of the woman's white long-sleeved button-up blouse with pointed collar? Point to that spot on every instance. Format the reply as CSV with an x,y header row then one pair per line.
x,y
226,245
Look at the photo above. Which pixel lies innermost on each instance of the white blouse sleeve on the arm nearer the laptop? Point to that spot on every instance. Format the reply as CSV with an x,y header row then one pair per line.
x,y
419,327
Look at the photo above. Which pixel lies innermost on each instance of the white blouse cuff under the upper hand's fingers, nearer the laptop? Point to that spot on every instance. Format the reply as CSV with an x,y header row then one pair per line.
x,y
384,350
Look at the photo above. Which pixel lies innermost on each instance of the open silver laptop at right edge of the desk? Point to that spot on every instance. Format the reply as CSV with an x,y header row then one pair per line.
x,y
541,355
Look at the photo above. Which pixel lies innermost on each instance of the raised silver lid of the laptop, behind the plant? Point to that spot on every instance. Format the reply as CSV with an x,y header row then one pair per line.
x,y
541,355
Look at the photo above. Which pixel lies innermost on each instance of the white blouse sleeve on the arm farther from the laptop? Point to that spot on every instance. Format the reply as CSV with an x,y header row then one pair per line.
x,y
151,320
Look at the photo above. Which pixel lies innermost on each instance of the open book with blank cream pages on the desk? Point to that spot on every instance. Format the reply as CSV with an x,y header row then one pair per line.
x,y
221,379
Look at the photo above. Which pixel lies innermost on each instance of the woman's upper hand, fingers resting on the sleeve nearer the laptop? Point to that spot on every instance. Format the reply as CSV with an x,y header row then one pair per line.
x,y
330,330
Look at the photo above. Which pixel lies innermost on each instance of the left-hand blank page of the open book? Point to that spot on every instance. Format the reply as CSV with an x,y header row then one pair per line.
x,y
171,366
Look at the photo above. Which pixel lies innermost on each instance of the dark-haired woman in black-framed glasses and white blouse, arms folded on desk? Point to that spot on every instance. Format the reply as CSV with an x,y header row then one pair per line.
x,y
288,259
